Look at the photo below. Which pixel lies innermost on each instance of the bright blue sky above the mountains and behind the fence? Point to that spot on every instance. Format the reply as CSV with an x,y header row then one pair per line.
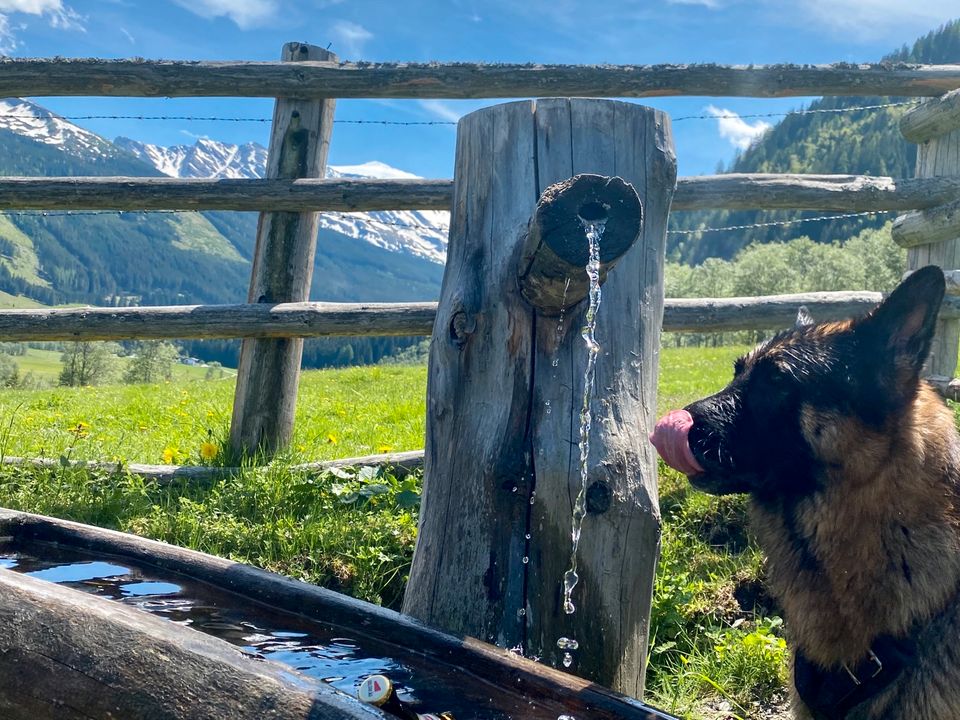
x,y
548,31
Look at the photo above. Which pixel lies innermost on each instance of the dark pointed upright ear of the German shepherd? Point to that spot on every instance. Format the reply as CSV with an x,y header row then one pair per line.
x,y
900,329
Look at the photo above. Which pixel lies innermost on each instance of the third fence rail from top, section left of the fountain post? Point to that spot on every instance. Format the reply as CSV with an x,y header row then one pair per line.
x,y
261,320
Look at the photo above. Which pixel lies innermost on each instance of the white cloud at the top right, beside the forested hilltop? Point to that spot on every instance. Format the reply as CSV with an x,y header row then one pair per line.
x,y
874,19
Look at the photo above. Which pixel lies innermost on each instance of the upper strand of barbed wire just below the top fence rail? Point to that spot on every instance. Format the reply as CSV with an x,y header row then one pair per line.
x,y
349,121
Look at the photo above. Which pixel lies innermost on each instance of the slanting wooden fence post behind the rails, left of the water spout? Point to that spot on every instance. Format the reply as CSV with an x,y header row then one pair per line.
x,y
269,370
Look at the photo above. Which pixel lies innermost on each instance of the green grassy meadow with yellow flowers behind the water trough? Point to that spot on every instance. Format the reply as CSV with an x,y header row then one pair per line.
x,y
717,645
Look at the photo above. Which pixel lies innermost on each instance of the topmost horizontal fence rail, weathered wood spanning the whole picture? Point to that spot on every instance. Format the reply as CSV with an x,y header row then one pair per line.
x,y
159,78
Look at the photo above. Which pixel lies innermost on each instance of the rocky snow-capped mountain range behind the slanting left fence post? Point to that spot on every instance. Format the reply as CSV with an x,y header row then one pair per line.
x,y
419,233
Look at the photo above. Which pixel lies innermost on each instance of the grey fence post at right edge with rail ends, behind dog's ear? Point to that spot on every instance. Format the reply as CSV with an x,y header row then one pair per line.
x,y
933,235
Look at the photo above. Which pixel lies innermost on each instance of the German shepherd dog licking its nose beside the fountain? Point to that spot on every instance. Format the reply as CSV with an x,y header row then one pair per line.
x,y
852,464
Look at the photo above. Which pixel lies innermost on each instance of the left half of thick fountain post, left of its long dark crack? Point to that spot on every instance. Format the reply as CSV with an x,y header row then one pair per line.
x,y
467,576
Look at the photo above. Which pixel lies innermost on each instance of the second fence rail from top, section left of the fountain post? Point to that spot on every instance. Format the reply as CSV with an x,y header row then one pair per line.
x,y
273,194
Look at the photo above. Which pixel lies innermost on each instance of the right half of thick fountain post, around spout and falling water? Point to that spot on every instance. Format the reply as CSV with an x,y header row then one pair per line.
x,y
620,535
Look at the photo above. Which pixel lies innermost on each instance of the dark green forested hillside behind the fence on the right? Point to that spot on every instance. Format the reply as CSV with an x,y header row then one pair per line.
x,y
866,142
